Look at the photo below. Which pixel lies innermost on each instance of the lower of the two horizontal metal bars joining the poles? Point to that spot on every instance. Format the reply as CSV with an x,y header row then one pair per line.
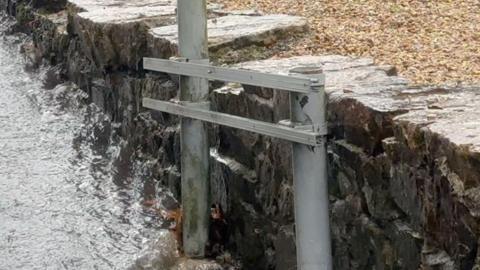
x,y
269,129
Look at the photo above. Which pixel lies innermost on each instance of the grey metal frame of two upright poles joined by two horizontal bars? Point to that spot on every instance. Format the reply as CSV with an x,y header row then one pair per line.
x,y
306,130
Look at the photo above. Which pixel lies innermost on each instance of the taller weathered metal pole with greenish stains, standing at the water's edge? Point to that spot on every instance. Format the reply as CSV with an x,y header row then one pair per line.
x,y
192,34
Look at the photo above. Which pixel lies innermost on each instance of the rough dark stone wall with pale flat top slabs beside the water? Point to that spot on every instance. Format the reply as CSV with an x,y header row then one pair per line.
x,y
404,161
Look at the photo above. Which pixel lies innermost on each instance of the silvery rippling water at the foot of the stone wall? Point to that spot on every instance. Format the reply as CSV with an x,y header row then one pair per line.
x,y
69,199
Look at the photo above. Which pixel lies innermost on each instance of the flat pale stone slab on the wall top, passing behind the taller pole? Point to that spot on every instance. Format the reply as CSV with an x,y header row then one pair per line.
x,y
238,30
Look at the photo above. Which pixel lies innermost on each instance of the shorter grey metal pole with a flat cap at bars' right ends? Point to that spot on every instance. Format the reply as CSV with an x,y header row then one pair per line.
x,y
310,183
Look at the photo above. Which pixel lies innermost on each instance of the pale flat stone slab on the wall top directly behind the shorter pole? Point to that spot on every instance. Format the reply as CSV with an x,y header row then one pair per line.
x,y
345,76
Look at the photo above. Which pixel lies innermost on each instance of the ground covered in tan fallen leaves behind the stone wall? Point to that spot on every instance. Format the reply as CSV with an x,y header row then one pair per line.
x,y
430,42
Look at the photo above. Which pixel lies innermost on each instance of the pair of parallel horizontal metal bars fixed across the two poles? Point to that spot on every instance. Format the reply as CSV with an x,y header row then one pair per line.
x,y
299,133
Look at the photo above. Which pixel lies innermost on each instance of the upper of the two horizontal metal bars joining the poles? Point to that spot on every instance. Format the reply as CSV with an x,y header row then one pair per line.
x,y
275,81
